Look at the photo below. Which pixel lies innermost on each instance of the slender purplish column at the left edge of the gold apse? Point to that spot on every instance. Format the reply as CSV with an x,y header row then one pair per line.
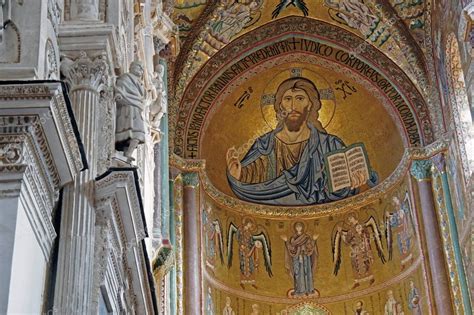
x,y
192,246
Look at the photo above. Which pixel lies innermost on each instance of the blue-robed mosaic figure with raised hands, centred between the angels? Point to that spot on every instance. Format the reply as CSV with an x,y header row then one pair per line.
x,y
301,254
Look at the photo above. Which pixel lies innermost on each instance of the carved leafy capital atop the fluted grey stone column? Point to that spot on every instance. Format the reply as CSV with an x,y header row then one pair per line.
x,y
86,72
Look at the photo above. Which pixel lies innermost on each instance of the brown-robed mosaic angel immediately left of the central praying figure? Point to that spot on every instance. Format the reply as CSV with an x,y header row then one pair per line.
x,y
250,243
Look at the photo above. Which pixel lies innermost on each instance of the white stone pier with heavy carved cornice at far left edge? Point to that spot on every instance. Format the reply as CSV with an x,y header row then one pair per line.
x,y
39,153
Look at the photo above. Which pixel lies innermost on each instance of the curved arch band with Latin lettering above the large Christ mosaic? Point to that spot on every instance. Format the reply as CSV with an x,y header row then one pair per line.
x,y
294,35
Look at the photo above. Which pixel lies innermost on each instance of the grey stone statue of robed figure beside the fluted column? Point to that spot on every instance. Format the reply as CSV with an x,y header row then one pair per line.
x,y
131,102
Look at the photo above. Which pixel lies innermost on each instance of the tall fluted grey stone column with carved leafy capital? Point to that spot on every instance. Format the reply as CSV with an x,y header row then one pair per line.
x,y
86,78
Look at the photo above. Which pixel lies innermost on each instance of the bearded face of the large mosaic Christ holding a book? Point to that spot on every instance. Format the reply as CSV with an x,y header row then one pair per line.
x,y
296,104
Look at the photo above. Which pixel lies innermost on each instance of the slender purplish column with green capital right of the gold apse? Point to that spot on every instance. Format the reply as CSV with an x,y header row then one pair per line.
x,y
421,171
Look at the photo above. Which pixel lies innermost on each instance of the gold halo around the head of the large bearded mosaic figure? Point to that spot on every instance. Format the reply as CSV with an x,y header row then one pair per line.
x,y
327,96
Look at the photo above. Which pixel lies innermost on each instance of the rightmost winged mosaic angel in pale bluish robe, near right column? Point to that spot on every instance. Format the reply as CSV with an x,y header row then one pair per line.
x,y
400,220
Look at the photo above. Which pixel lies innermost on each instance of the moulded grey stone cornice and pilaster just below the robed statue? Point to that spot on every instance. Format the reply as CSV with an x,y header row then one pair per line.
x,y
123,230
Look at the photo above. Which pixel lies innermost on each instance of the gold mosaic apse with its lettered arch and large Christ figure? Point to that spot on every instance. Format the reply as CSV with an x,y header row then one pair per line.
x,y
313,151
